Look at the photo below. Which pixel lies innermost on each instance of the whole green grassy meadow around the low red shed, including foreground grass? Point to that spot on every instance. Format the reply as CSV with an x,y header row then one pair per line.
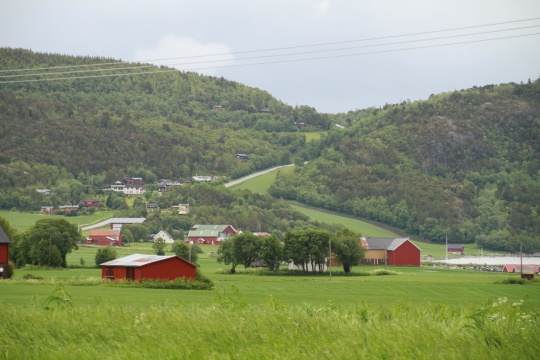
x,y
421,313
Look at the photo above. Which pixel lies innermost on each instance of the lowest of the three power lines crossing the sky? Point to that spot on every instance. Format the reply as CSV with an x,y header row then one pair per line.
x,y
272,62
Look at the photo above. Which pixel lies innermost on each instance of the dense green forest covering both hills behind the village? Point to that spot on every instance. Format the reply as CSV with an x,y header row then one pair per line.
x,y
463,164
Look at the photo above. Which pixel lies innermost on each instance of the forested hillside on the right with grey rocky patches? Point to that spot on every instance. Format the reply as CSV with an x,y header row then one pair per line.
x,y
463,164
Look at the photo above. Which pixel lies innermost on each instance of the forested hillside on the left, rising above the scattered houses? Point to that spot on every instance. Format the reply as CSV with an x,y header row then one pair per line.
x,y
163,122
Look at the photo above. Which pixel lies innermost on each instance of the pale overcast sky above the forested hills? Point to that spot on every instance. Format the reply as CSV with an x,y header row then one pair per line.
x,y
363,73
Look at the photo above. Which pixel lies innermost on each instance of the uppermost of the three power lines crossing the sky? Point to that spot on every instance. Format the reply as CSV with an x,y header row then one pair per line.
x,y
284,48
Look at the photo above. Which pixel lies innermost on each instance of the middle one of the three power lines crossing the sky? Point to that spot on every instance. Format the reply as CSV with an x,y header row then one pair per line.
x,y
270,56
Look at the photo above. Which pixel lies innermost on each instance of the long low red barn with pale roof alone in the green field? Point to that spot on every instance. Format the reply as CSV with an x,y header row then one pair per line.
x,y
139,266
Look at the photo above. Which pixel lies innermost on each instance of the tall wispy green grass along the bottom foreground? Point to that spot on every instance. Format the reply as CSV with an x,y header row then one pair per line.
x,y
232,329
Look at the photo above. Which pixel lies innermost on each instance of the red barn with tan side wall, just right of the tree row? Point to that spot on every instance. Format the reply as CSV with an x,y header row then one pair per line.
x,y
393,251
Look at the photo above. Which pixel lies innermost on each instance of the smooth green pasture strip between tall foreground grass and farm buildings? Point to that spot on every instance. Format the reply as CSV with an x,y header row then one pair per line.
x,y
411,284
